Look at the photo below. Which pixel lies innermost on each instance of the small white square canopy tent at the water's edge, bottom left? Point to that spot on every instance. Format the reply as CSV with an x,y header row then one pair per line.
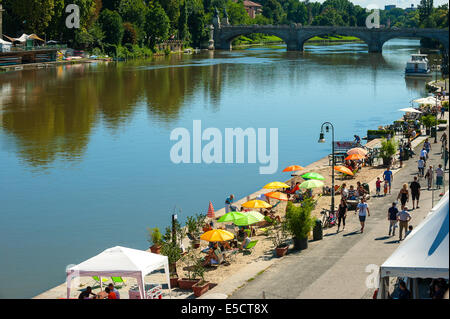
x,y
120,262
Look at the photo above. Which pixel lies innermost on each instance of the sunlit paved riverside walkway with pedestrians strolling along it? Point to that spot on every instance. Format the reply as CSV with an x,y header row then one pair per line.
x,y
335,267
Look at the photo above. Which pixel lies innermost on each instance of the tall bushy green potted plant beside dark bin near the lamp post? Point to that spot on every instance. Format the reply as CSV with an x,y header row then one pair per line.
x,y
299,222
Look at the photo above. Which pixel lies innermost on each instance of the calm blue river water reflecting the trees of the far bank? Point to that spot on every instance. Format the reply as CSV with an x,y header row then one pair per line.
x,y
85,149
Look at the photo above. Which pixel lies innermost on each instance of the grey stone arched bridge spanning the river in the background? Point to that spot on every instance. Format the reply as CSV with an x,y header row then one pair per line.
x,y
295,36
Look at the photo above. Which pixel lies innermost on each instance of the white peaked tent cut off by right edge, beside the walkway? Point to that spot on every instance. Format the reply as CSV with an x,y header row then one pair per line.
x,y
424,253
